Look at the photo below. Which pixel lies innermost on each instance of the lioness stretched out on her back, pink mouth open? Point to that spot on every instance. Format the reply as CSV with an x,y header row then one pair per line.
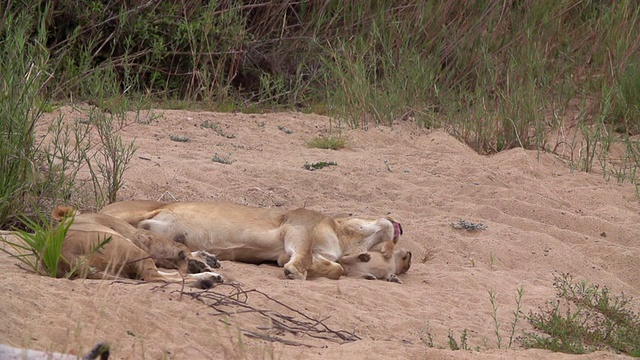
x,y
304,241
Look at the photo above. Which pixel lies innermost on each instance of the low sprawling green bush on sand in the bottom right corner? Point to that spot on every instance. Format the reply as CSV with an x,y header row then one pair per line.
x,y
584,318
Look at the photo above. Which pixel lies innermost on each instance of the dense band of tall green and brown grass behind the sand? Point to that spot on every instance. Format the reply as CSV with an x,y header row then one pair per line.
x,y
496,74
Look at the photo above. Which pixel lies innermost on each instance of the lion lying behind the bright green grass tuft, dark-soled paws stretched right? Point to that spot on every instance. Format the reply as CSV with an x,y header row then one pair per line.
x,y
123,256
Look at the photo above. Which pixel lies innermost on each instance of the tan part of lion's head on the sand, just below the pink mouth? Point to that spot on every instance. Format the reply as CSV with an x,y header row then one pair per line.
x,y
374,265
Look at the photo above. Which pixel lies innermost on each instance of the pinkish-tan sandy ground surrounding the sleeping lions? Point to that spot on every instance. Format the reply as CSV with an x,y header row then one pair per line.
x,y
540,216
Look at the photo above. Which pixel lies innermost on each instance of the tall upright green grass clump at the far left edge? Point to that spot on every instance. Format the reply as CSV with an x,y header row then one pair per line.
x,y
23,74
